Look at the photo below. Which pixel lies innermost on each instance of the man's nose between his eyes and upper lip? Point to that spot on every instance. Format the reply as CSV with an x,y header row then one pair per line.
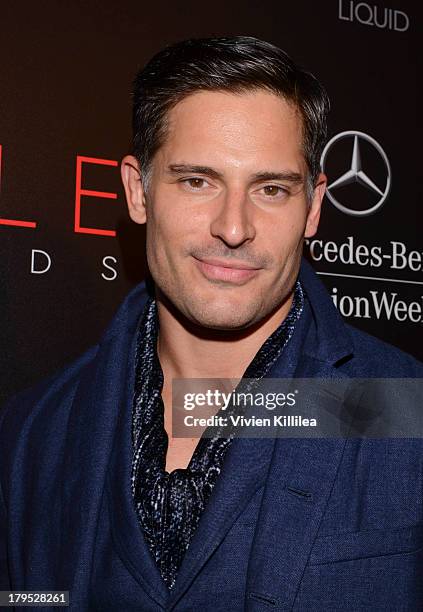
x,y
233,221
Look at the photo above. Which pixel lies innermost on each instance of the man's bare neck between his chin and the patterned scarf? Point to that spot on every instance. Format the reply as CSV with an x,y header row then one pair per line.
x,y
189,351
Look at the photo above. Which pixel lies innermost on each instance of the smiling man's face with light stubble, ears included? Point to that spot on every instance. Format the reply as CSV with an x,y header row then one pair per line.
x,y
226,209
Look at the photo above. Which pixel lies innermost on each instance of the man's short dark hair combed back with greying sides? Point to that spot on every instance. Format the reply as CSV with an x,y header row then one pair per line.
x,y
235,65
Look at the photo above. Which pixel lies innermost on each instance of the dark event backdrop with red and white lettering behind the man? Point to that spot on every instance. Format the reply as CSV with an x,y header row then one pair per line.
x,y
69,253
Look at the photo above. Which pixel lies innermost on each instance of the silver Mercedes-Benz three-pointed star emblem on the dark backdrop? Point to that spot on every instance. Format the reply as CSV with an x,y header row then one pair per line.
x,y
356,174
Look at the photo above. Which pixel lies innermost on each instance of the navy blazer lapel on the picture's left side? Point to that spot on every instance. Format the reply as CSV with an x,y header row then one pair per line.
x,y
101,393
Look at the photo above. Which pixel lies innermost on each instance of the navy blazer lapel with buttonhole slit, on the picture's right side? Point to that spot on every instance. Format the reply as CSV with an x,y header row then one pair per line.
x,y
302,472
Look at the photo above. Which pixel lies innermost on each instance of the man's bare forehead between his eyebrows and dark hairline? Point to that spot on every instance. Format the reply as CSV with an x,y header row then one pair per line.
x,y
242,128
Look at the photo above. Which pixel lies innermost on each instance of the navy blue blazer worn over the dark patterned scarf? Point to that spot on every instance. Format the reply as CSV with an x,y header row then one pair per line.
x,y
292,524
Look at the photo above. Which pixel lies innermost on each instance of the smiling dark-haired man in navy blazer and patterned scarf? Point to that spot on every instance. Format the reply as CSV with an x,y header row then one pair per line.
x,y
98,497
